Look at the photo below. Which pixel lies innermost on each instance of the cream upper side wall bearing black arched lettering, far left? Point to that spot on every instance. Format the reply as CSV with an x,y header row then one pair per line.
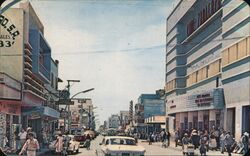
x,y
11,42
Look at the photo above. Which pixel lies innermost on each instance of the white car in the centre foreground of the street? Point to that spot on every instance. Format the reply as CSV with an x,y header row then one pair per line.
x,y
121,146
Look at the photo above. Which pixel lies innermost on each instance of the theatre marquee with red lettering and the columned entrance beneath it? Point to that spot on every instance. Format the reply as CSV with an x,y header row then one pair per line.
x,y
201,111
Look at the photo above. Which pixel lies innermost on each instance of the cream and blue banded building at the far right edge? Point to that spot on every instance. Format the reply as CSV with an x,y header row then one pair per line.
x,y
236,65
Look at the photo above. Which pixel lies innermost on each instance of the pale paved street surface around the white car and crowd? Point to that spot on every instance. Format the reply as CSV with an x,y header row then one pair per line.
x,y
151,150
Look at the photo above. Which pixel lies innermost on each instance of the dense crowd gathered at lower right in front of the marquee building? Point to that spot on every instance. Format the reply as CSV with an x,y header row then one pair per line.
x,y
215,140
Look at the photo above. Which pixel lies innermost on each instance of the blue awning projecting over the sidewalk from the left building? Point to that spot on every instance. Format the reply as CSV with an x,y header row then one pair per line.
x,y
41,111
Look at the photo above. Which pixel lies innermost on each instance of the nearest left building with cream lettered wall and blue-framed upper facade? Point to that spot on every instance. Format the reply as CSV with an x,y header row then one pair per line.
x,y
25,67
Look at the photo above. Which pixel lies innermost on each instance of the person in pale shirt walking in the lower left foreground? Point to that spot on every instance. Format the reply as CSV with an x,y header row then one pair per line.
x,y
30,146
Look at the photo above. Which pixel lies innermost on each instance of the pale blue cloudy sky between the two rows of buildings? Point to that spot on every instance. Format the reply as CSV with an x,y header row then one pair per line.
x,y
114,46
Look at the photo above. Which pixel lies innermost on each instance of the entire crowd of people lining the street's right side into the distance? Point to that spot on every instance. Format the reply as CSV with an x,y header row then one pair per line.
x,y
215,139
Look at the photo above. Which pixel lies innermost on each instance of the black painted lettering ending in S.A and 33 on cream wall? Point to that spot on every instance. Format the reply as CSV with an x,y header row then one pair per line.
x,y
7,40
